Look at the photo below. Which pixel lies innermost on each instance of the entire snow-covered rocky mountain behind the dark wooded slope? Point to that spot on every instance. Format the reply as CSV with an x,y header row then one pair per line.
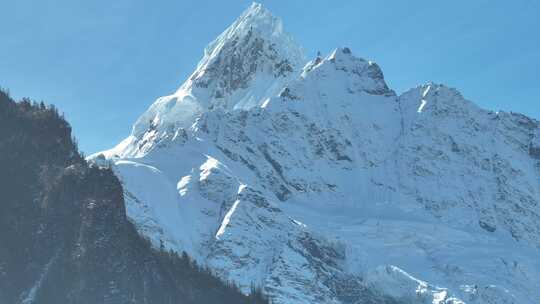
x,y
323,186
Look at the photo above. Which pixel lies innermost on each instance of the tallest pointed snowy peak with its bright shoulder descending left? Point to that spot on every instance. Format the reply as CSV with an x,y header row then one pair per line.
x,y
250,60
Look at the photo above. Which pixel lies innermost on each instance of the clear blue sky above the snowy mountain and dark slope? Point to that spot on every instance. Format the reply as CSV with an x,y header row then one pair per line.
x,y
104,62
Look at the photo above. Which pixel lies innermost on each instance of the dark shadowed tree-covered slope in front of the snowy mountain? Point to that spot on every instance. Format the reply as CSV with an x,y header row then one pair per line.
x,y
64,232
